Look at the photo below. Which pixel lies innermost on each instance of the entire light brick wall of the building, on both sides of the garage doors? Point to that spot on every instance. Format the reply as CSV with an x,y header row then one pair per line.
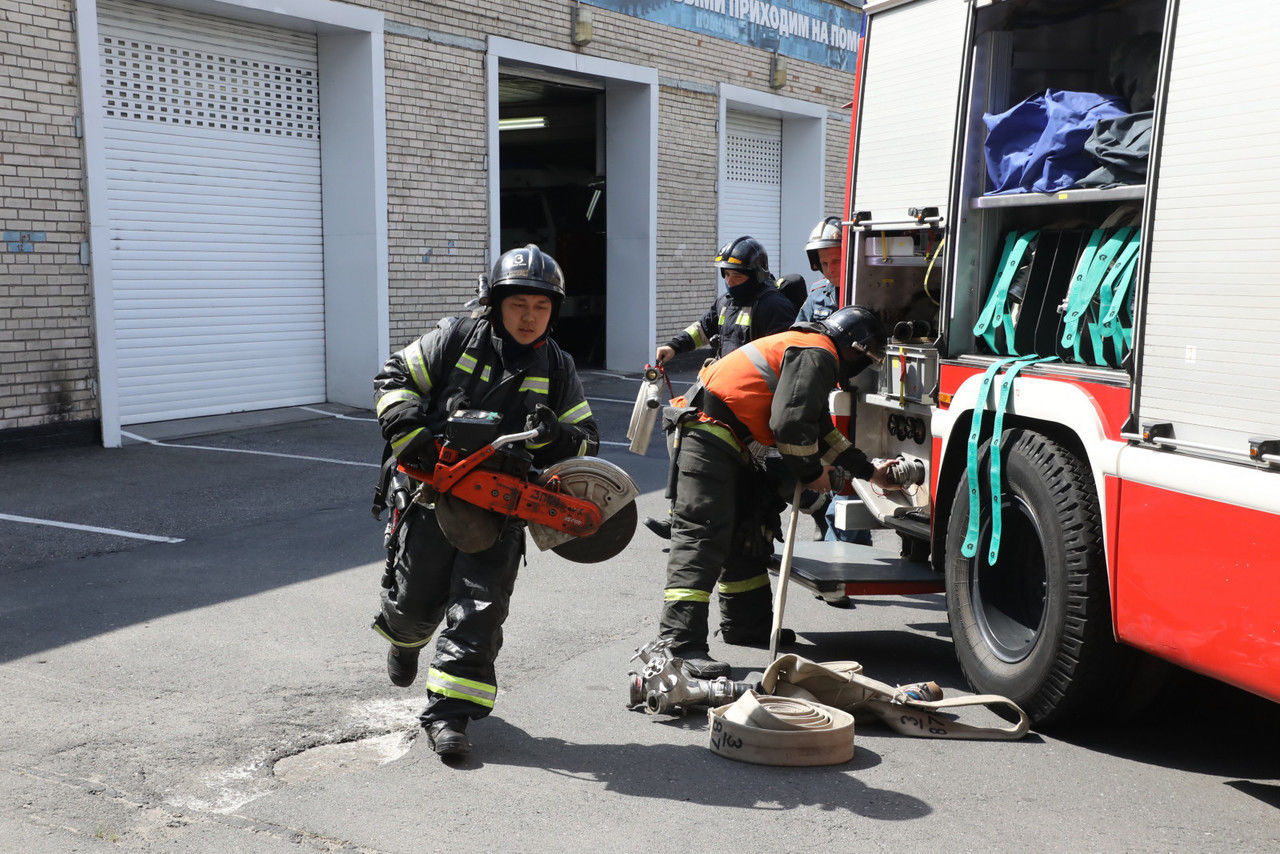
x,y
438,200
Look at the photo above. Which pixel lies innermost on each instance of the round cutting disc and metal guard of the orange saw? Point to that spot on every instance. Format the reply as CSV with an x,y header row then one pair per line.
x,y
605,486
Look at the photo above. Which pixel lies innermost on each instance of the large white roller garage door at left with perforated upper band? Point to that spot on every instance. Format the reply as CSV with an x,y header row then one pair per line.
x,y
213,186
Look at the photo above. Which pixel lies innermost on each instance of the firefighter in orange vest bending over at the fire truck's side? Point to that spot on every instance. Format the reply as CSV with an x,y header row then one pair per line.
x,y
771,392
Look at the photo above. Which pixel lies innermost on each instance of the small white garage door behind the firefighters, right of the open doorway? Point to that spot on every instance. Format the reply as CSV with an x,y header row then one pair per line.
x,y
752,195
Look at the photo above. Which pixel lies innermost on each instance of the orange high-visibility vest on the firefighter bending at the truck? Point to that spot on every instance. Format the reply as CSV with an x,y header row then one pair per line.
x,y
747,380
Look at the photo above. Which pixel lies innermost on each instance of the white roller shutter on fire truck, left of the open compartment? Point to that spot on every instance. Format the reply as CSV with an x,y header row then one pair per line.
x,y
911,94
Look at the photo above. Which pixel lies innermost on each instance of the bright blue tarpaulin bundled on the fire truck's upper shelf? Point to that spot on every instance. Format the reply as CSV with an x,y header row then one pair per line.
x,y
1039,145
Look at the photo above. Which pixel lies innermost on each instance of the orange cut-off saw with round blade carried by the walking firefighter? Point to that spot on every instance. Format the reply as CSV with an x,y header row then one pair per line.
x,y
583,509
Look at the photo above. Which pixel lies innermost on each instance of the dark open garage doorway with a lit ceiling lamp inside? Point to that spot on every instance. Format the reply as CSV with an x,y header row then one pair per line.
x,y
552,194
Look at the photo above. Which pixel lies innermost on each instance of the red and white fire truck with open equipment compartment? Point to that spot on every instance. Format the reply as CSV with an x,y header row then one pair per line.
x,y
1086,376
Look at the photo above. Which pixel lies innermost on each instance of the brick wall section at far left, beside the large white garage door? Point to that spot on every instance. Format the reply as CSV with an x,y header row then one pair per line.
x,y
48,367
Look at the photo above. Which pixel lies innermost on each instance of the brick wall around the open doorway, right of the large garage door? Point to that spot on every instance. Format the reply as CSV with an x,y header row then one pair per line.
x,y
688,145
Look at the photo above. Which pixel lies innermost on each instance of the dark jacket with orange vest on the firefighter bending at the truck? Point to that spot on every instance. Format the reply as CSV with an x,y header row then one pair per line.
x,y
776,390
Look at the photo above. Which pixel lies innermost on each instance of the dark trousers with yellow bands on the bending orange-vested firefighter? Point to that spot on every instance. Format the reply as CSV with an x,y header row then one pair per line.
x,y
721,540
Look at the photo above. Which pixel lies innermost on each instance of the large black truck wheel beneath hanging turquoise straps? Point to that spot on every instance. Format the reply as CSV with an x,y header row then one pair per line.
x,y
1036,627
